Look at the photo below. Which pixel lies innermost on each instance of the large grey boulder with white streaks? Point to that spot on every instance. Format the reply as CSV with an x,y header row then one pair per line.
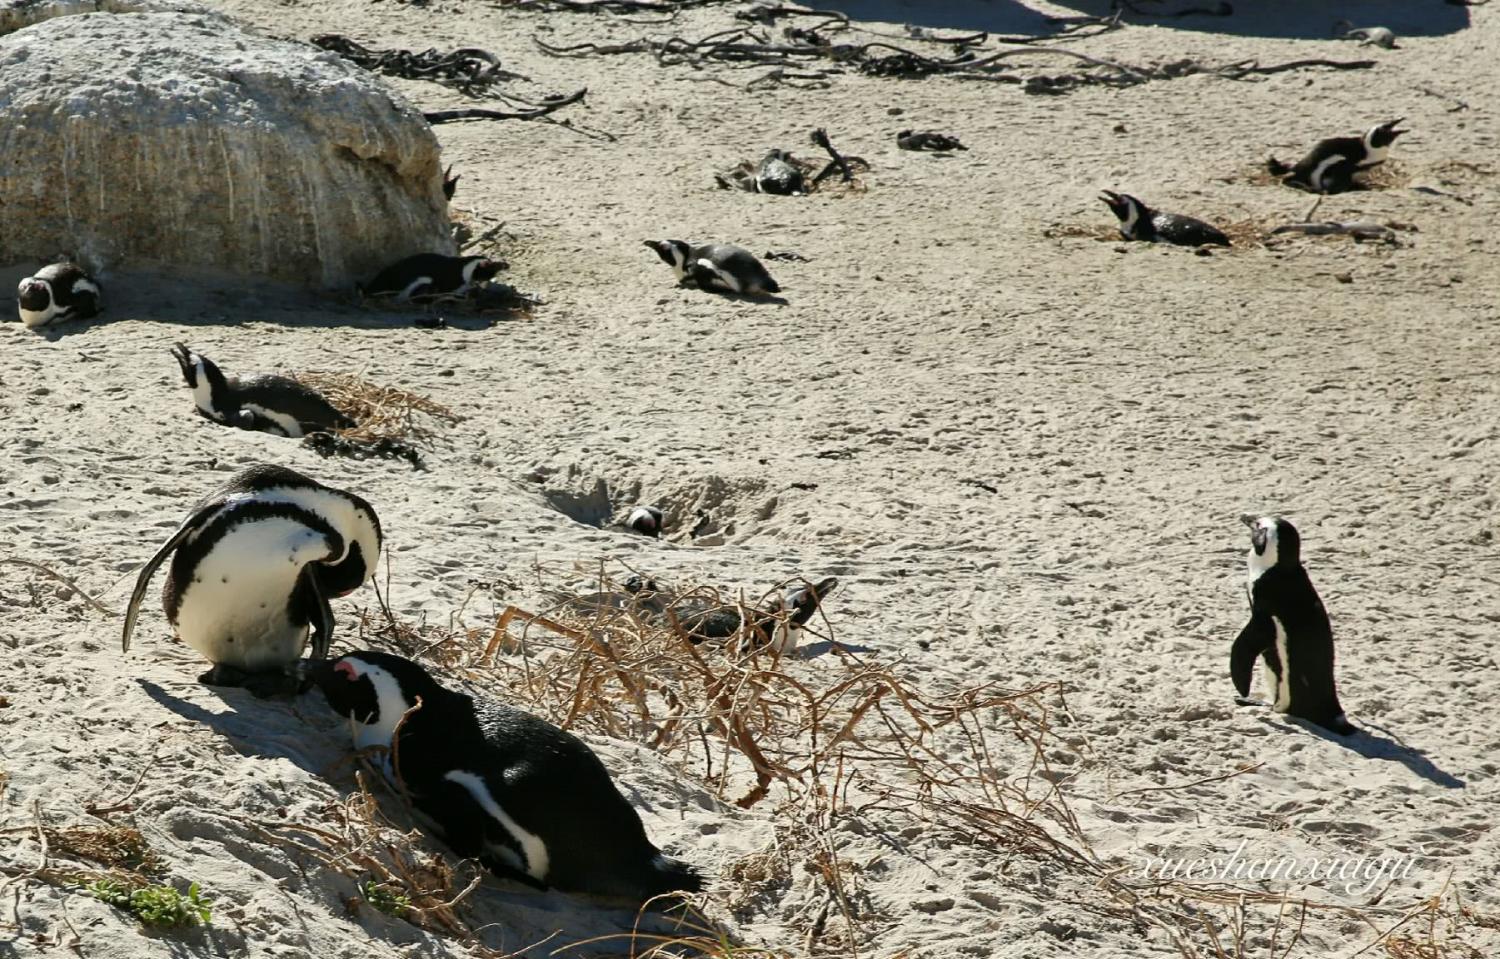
x,y
179,140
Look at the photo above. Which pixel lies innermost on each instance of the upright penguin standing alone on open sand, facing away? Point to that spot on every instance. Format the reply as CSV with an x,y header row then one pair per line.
x,y
1288,628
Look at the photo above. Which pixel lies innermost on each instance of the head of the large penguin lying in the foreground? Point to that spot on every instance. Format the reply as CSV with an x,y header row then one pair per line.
x,y
373,690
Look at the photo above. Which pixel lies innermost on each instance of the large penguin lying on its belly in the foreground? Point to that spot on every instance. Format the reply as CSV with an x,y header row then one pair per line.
x,y
529,801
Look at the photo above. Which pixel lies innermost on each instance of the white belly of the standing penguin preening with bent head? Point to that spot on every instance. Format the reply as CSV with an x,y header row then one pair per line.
x,y
235,610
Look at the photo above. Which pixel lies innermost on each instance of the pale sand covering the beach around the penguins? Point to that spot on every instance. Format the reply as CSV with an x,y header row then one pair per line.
x,y
1126,403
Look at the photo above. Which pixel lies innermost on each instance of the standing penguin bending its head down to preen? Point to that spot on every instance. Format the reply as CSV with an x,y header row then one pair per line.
x,y
253,568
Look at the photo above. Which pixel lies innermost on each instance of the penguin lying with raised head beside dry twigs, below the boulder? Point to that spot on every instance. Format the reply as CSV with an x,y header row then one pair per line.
x,y
266,403
